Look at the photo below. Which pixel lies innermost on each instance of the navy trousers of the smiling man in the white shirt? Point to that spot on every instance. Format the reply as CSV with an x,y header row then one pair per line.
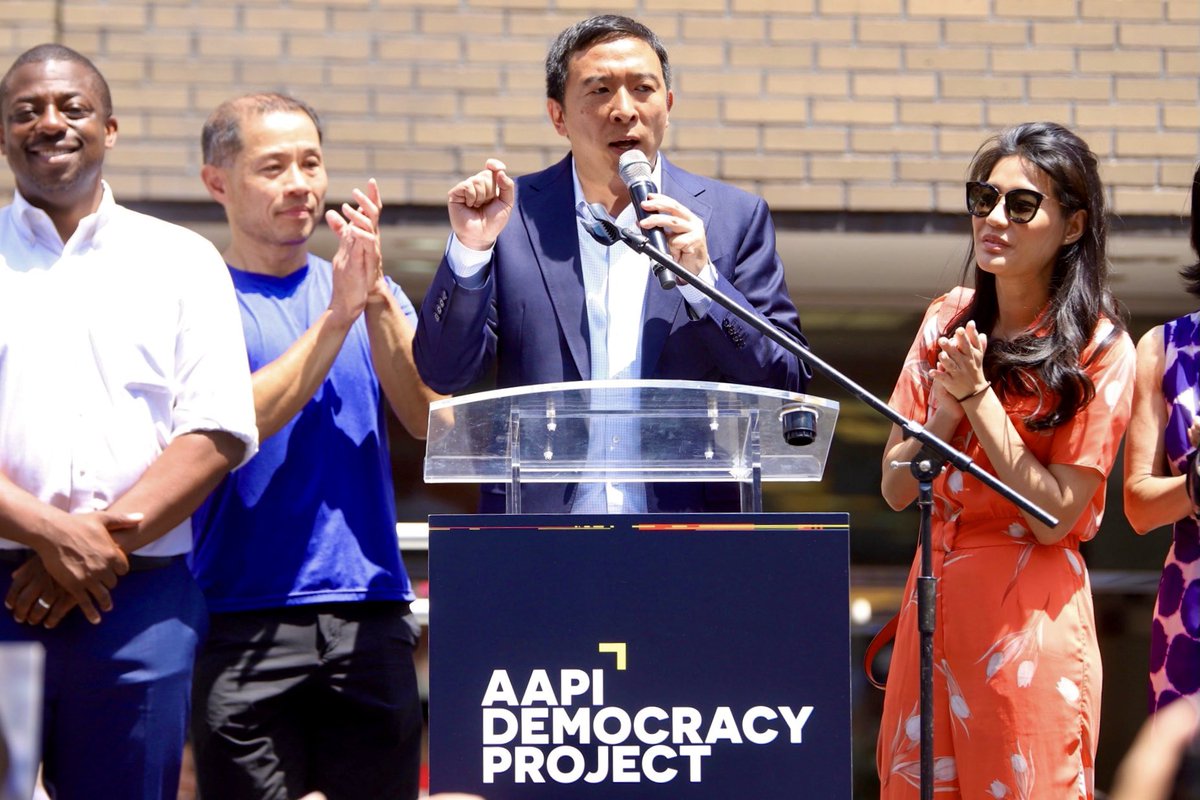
x,y
117,694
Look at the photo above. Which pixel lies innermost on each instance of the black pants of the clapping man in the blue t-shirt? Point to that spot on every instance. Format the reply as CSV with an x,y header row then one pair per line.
x,y
308,699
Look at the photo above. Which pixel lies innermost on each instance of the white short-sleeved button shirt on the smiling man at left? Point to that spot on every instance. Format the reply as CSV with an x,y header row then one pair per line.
x,y
112,345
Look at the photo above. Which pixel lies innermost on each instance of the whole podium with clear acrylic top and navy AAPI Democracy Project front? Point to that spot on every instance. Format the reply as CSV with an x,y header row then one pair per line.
x,y
637,601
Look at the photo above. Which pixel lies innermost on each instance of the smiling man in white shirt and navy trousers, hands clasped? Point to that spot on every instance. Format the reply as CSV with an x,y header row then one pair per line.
x,y
124,398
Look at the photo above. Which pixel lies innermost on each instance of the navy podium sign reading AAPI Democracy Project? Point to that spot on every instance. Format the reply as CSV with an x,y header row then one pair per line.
x,y
673,657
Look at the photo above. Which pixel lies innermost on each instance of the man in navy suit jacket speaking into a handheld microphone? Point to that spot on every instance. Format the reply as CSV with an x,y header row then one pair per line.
x,y
525,285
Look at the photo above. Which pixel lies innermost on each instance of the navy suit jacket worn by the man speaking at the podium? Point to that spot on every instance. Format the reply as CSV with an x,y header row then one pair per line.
x,y
531,316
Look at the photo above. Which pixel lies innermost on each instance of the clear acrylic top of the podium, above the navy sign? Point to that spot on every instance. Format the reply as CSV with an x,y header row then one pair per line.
x,y
628,432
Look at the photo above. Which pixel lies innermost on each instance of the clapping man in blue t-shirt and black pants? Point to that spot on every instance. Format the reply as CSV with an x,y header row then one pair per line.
x,y
307,681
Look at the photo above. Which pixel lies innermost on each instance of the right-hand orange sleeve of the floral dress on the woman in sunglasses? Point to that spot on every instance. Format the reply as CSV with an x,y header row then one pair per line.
x,y
1093,437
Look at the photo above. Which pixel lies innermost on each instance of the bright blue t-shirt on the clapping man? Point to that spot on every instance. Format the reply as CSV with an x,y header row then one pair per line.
x,y
313,518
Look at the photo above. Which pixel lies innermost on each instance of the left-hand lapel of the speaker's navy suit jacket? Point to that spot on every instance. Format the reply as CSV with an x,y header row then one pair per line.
x,y
548,209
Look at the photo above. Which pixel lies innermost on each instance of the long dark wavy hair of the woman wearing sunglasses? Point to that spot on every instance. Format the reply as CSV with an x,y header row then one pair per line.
x,y
1047,363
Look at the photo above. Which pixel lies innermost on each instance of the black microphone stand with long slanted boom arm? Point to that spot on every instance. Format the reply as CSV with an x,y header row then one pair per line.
x,y
929,462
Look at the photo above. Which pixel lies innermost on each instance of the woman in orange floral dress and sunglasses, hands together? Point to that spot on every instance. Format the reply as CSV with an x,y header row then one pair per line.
x,y
1031,375
